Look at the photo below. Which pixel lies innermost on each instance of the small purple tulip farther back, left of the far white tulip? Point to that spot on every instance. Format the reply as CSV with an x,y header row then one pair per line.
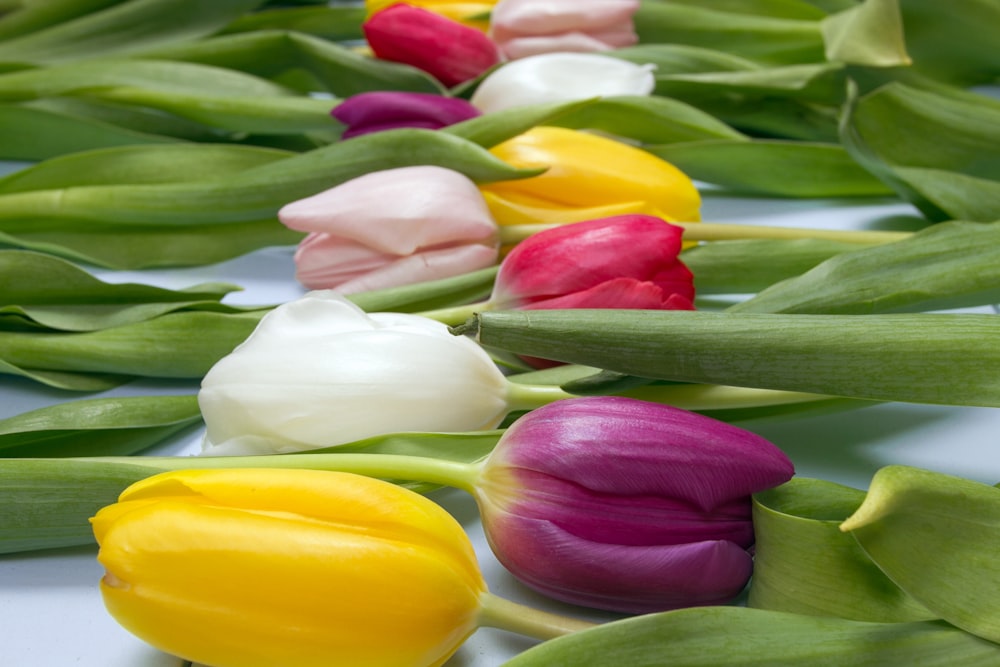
x,y
387,109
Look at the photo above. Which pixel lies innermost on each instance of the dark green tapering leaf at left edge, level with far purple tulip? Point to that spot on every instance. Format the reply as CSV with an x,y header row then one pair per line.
x,y
39,134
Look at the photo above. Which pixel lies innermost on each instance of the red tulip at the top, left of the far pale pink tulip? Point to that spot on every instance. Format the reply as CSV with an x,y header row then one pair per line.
x,y
445,49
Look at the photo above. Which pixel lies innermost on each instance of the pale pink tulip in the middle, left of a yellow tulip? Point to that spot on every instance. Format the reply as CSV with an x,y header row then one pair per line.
x,y
390,228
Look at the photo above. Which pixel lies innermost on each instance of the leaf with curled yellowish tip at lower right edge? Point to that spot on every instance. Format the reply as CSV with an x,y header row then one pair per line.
x,y
936,536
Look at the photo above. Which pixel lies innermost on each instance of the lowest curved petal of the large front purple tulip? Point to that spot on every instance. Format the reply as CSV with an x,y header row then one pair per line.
x,y
620,578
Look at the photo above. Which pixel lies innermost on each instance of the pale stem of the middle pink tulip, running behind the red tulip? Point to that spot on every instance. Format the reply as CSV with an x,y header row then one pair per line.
x,y
715,231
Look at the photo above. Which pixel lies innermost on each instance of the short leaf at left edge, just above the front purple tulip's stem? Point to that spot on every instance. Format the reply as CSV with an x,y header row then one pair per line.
x,y
97,427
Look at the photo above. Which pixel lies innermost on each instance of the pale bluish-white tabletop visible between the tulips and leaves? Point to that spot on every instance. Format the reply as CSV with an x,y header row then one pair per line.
x,y
50,609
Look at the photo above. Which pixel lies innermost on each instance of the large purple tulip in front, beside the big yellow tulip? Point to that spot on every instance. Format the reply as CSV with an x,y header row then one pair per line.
x,y
626,505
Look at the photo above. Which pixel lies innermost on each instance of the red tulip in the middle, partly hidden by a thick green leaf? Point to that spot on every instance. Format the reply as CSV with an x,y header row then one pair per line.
x,y
625,261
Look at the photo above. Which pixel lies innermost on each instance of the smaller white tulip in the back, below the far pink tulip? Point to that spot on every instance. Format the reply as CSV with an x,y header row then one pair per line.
x,y
561,77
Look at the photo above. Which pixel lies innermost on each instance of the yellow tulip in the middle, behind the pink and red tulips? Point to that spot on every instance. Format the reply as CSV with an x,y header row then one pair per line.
x,y
588,176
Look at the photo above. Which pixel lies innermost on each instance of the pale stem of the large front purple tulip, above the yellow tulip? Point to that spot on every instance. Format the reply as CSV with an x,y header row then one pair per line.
x,y
414,468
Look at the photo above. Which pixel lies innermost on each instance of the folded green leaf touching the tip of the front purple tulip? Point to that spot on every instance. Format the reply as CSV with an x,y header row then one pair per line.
x,y
804,563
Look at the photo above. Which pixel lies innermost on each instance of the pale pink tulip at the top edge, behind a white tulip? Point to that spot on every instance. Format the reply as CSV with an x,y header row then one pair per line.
x,y
528,27
